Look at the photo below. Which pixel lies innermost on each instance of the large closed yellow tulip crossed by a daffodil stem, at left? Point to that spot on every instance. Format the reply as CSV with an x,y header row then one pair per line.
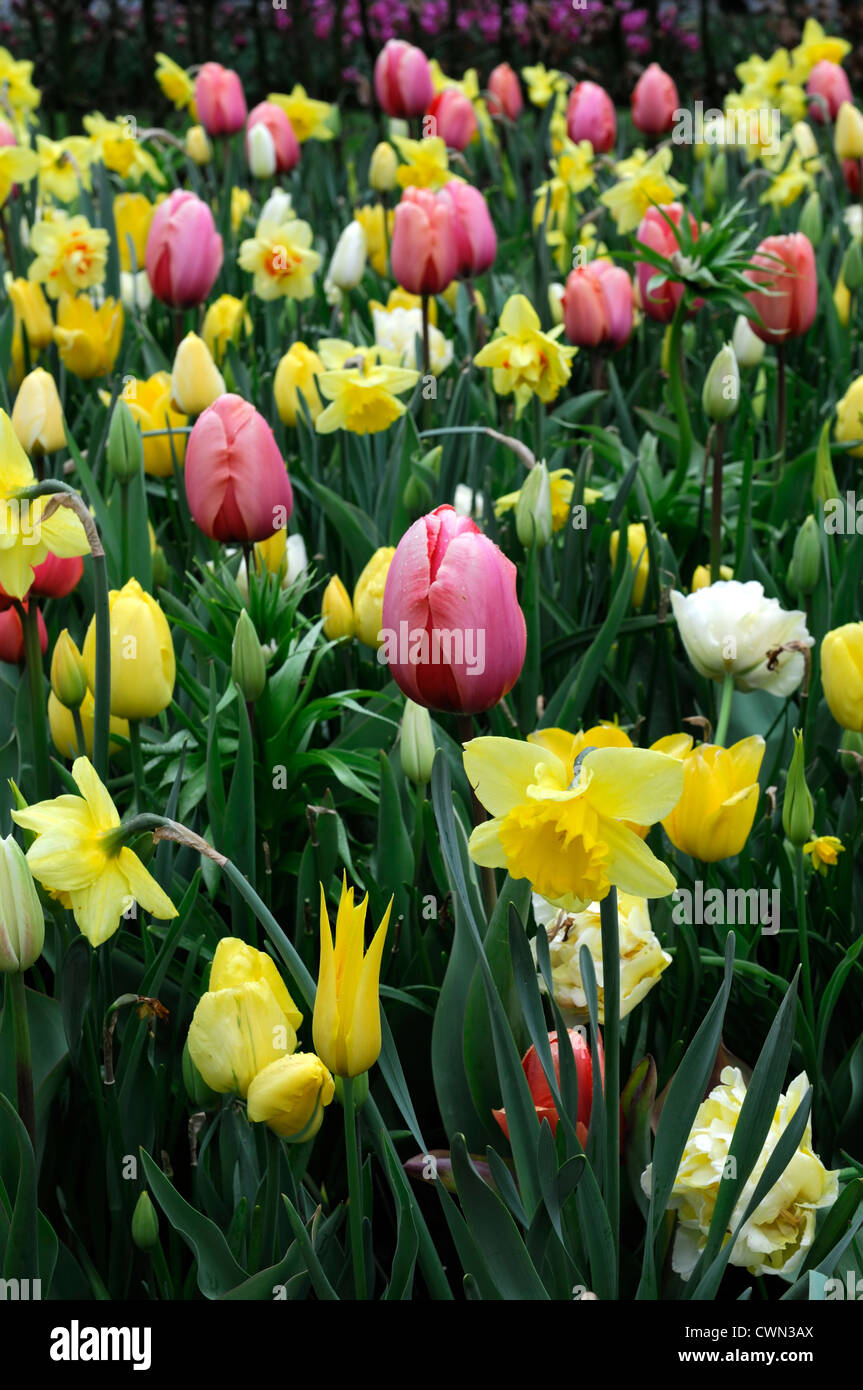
x,y
142,654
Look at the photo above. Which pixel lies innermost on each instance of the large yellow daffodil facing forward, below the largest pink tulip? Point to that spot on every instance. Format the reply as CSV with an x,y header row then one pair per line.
x,y
566,835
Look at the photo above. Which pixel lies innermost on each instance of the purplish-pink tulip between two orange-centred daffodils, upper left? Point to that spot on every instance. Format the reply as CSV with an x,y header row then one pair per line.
x,y
184,251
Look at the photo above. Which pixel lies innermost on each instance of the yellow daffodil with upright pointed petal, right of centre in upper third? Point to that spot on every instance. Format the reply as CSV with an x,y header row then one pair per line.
x,y
526,362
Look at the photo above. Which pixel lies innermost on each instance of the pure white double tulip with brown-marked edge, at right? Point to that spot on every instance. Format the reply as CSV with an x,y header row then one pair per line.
x,y
730,629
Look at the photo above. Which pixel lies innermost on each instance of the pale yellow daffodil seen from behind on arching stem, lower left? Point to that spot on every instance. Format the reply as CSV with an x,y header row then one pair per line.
x,y
79,856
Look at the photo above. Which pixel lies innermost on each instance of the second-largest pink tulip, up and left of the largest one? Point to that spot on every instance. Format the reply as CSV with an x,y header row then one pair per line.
x,y
237,484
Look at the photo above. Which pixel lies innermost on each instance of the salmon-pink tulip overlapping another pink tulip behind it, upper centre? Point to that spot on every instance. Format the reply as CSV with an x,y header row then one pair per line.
x,y
425,247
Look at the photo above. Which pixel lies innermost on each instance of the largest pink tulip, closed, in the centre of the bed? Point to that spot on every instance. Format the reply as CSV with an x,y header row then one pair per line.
x,y
454,633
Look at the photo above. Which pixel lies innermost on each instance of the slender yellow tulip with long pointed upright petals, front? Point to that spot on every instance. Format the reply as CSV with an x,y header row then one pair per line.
x,y
347,1024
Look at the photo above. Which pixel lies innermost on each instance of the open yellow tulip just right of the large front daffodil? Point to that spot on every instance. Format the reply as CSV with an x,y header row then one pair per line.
x,y
714,817
